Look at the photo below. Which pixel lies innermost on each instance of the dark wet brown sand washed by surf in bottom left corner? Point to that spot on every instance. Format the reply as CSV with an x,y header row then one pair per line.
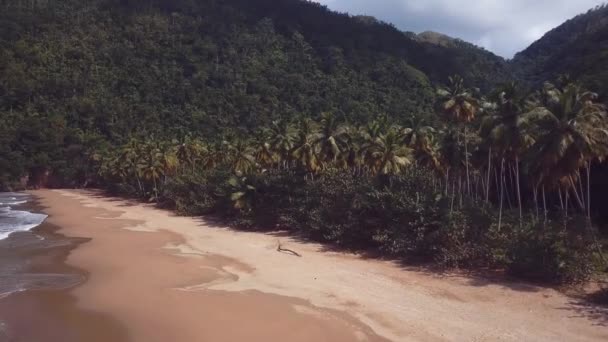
x,y
50,313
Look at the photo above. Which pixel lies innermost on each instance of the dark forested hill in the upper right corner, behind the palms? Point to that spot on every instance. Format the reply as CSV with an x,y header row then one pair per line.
x,y
579,48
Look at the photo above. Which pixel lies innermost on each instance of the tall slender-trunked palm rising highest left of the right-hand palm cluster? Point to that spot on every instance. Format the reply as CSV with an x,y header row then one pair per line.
x,y
459,103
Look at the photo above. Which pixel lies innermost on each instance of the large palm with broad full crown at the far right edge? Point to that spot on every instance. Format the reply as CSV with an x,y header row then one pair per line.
x,y
571,132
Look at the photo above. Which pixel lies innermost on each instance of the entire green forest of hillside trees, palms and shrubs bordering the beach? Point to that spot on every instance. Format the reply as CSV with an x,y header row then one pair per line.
x,y
282,114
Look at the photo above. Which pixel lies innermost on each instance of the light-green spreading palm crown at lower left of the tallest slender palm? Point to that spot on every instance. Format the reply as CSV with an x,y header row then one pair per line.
x,y
388,155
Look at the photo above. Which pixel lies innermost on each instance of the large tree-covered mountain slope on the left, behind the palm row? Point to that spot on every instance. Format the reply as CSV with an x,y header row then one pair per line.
x,y
99,71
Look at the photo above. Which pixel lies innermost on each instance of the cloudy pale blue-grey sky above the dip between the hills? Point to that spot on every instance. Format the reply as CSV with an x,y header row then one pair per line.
x,y
501,26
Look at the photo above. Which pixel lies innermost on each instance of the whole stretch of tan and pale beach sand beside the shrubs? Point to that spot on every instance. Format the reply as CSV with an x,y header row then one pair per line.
x,y
169,278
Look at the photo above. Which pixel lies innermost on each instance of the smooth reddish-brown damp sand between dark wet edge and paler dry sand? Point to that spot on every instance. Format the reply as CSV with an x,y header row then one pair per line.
x,y
129,265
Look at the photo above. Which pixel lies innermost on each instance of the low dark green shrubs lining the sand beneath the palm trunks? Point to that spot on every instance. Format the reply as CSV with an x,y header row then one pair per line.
x,y
402,216
